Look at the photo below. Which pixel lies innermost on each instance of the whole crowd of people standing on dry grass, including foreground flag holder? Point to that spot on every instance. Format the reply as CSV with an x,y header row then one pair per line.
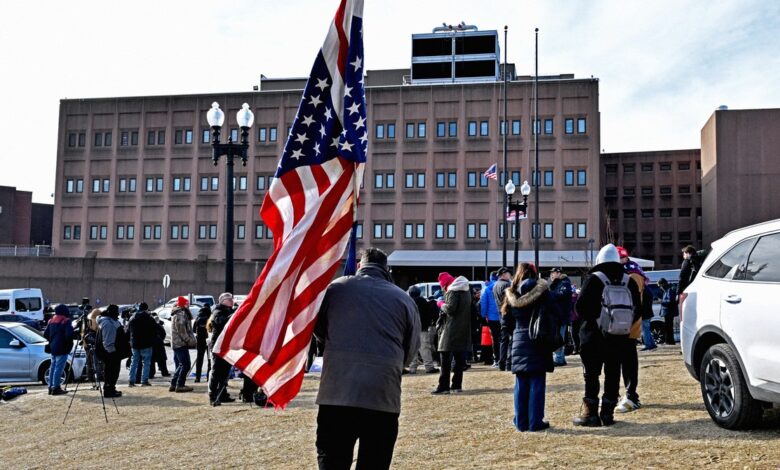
x,y
370,333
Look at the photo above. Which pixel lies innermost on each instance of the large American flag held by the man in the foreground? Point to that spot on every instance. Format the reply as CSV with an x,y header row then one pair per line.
x,y
310,208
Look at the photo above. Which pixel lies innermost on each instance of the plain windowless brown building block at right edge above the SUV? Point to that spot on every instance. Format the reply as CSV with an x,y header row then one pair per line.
x,y
740,170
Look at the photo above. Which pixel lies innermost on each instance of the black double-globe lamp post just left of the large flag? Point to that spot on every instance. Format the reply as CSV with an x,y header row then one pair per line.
x,y
231,149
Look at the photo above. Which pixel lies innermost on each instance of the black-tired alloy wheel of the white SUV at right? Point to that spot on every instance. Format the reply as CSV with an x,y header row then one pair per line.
x,y
725,392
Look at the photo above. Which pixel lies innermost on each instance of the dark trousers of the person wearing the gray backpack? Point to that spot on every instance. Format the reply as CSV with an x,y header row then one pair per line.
x,y
595,355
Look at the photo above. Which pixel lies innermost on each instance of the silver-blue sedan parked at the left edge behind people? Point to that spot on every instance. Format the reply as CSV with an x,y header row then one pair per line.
x,y
23,359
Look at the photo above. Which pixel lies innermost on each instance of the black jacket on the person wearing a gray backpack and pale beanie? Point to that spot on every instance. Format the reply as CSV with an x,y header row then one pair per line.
x,y
589,302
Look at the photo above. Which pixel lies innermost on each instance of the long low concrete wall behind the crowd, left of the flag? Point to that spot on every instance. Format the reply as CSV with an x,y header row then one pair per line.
x,y
121,281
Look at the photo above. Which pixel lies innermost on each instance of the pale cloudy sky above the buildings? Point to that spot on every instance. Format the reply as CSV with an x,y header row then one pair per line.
x,y
663,66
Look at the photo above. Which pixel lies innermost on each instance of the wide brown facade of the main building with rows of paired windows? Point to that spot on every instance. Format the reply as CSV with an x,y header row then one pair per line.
x,y
135,177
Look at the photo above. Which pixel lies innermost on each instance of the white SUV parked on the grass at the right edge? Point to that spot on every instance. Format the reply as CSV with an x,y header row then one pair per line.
x,y
730,324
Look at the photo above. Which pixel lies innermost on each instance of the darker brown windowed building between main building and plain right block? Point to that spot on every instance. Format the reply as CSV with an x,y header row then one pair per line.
x,y
652,203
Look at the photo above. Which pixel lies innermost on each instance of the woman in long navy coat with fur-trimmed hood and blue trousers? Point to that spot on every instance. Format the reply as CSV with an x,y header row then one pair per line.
x,y
530,362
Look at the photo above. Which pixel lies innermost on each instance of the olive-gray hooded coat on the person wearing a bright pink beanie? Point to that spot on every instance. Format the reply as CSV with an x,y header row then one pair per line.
x,y
456,333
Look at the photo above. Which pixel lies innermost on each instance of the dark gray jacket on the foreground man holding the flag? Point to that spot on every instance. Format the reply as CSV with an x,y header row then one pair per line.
x,y
370,329
